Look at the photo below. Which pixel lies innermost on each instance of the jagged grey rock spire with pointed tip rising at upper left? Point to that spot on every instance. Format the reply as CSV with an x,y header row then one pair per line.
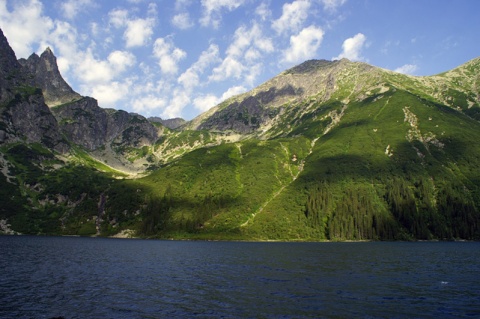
x,y
46,76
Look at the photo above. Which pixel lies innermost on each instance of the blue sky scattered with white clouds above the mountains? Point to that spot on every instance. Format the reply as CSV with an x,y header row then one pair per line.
x,y
178,58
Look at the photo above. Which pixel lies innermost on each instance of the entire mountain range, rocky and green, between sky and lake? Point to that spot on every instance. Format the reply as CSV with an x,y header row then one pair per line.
x,y
326,150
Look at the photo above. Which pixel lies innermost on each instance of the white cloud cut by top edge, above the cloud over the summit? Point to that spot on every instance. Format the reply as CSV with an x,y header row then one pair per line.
x,y
293,16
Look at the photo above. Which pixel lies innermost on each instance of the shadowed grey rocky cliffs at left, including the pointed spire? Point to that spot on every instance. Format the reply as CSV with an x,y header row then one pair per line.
x,y
27,86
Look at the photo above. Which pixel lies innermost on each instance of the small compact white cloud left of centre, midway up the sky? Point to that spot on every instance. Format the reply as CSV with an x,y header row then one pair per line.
x,y
168,55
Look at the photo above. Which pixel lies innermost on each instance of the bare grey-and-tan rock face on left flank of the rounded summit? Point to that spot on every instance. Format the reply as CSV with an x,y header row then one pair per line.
x,y
255,111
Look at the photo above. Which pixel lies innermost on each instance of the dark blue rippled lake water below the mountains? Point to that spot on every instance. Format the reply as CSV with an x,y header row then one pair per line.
x,y
45,277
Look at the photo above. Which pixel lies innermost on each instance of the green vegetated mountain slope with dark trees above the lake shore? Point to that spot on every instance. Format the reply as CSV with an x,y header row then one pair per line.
x,y
374,155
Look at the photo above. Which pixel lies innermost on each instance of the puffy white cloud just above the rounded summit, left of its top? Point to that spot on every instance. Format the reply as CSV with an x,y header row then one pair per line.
x,y
304,45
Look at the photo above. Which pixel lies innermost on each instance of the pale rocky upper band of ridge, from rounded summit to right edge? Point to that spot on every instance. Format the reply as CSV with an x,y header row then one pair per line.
x,y
277,106
